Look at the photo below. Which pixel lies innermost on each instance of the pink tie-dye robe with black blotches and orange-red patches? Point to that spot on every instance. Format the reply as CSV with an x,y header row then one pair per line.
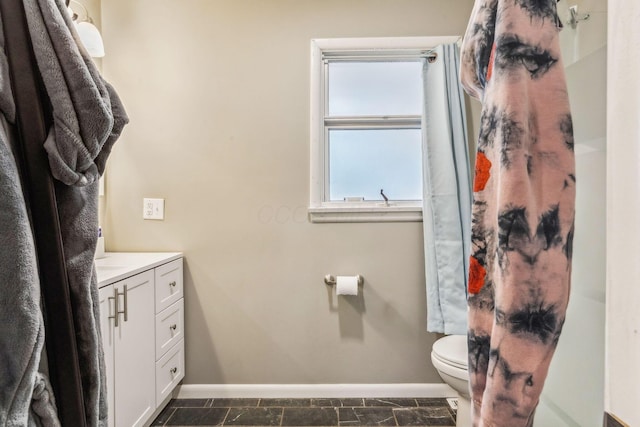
x,y
523,208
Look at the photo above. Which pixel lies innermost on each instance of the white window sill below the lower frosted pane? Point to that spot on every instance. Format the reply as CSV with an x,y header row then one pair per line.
x,y
365,213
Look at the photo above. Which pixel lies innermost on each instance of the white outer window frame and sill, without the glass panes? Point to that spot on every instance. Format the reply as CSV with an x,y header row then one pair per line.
x,y
321,210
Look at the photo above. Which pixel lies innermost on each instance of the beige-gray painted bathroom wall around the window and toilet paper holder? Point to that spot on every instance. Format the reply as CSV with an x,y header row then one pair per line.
x,y
218,95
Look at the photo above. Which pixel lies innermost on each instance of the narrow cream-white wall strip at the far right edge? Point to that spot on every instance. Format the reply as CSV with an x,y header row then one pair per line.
x,y
623,210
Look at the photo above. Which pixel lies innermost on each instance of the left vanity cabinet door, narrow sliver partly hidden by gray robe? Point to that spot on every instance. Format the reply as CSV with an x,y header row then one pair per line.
x,y
107,307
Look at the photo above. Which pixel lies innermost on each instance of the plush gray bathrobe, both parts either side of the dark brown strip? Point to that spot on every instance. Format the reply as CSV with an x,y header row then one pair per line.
x,y
88,119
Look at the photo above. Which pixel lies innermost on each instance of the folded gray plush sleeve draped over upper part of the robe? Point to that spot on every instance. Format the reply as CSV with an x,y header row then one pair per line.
x,y
88,115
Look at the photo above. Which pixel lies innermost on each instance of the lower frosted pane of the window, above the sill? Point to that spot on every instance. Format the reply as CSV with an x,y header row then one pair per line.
x,y
362,162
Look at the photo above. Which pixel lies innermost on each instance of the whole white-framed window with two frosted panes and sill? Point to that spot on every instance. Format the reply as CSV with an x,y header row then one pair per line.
x,y
366,128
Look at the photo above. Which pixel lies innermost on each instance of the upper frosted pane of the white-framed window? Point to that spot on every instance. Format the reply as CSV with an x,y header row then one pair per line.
x,y
375,88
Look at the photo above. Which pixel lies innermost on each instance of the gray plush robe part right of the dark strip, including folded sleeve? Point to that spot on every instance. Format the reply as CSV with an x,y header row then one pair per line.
x,y
88,118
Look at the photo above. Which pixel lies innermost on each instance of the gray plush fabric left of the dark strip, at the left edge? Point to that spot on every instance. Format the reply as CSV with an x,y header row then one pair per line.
x,y
22,337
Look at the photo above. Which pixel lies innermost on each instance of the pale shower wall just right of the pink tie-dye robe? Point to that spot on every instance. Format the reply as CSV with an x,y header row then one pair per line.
x,y
574,391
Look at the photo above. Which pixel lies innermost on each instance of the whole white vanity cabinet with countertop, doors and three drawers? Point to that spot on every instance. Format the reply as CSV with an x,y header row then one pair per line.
x,y
141,319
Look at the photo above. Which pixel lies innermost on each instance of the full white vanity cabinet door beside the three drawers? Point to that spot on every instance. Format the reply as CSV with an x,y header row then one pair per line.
x,y
135,350
